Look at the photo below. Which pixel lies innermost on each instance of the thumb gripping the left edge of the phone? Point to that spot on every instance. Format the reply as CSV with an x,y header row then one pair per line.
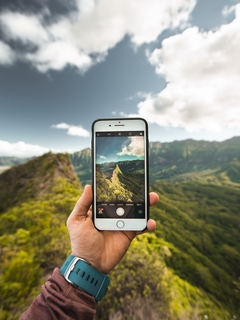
x,y
83,204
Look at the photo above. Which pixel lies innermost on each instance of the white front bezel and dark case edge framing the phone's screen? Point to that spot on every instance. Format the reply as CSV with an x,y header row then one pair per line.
x,y
113,125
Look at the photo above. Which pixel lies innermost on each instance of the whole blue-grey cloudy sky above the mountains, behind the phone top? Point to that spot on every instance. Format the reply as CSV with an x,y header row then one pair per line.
x,y
66,63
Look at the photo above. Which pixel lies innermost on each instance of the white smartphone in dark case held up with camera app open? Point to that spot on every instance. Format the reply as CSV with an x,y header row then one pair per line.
x,y
120,174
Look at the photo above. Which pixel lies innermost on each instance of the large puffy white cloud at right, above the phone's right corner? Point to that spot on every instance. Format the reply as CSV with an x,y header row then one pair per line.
x,y
202,71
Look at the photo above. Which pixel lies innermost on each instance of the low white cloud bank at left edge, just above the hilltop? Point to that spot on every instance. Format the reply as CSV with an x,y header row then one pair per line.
x,y
22,149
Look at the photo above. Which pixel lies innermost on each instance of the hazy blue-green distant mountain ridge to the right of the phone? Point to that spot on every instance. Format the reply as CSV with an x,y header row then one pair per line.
x,y
168,160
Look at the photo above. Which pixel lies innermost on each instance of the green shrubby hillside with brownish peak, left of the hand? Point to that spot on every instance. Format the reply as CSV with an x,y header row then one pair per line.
x,y
36,199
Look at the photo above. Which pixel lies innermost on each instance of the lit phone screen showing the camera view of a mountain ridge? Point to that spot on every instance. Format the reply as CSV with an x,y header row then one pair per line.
x,y
120,174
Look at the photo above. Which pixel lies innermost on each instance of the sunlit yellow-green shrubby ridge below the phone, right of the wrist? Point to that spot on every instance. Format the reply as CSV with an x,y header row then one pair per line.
x,y
142,287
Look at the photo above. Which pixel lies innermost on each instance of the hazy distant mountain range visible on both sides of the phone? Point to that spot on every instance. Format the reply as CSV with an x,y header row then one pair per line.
x,y
179,160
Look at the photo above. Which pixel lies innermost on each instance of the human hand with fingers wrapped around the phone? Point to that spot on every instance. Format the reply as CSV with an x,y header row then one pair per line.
x,y
102,249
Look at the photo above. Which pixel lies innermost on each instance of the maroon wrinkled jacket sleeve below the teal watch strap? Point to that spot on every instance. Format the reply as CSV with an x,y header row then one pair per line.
x,y
60,300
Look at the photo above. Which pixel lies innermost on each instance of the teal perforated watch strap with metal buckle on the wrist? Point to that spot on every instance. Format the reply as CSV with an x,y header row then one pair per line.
x,y
80,273
